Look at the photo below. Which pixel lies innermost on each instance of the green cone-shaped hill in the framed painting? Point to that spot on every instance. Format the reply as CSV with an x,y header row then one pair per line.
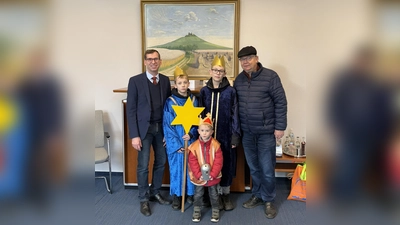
x,y
189,43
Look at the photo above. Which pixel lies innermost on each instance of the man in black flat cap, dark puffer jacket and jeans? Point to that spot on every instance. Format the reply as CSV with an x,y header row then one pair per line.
x,y
263,120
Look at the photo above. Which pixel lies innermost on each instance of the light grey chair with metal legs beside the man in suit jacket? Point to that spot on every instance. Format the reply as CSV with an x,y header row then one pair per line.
x,y
102,155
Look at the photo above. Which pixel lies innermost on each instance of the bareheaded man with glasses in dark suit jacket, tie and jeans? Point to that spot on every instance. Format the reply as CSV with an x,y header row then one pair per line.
x,y
147,93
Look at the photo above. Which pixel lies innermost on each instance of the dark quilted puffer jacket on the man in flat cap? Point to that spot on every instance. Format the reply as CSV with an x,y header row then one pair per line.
x,y
262,101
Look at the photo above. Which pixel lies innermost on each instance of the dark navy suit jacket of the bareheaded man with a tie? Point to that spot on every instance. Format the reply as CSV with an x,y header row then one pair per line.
x,y
138,106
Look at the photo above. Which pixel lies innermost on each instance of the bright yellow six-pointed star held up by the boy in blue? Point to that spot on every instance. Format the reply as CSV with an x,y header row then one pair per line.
x,y
187,115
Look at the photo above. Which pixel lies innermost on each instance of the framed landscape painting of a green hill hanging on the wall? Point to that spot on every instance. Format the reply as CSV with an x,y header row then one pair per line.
x,y
189,34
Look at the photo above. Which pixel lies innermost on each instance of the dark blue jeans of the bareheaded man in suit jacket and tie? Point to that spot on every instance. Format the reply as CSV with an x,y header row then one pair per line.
x,y
153,137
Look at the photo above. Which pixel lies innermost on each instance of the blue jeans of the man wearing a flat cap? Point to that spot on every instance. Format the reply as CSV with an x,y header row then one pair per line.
x,y
260,152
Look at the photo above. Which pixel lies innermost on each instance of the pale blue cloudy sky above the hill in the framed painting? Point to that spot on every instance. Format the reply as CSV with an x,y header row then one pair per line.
x,y
203,20
